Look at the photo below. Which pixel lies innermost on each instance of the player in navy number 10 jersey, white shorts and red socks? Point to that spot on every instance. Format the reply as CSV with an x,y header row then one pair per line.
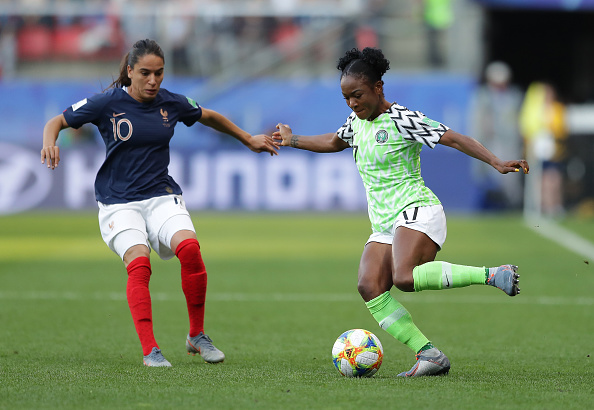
x,y
140,205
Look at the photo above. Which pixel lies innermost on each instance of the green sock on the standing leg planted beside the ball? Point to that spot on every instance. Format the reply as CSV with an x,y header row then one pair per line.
x,y
395,319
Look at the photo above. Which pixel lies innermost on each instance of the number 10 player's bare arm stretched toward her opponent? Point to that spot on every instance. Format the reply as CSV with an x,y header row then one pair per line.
x,y
257,143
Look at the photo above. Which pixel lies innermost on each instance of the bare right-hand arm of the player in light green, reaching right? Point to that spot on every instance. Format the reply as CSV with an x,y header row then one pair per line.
x,y
475,149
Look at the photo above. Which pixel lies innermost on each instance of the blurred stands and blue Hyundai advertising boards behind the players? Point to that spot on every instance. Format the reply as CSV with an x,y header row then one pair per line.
x,y
261,62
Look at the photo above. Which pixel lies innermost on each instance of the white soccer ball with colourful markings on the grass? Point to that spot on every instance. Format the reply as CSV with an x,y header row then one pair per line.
x,y
357,353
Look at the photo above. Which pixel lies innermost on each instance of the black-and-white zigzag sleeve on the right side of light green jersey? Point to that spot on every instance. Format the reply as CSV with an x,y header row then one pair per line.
x,y
415,126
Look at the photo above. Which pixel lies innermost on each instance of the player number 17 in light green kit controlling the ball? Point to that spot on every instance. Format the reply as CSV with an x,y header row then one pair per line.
x,y
407,219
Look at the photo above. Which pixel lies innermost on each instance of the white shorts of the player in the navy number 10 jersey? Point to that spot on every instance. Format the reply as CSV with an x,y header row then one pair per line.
x,y
151,222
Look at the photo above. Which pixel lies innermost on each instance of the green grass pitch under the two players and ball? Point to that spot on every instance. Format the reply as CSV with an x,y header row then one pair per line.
x,y
282,287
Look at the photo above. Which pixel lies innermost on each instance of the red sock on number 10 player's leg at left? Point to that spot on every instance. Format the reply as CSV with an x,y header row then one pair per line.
x,y
139,301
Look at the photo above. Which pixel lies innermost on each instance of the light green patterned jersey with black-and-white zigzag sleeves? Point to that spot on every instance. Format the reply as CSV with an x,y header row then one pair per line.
x,y
389,163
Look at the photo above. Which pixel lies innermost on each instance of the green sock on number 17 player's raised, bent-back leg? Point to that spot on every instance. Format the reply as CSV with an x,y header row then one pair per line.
x,y
444,275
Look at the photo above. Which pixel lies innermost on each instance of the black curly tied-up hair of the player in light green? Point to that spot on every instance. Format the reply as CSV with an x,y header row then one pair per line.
x,y
369,63
